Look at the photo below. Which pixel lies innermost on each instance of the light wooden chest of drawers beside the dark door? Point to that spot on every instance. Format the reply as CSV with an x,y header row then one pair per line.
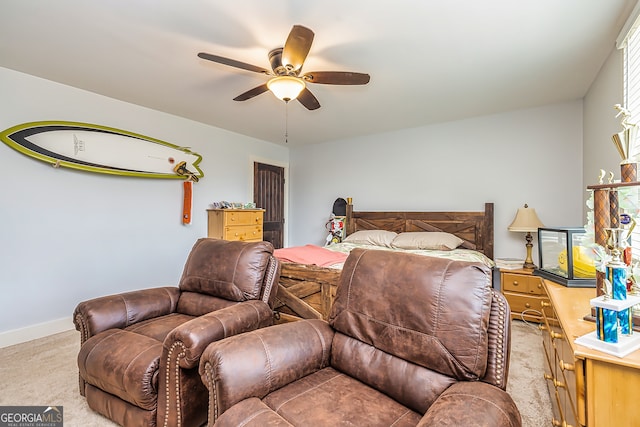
x,y
235,224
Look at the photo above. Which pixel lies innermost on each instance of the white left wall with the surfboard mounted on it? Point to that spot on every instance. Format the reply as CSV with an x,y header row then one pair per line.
x,y
67,235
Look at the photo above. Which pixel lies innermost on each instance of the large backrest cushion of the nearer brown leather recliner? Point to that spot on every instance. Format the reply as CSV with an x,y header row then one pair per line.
x,y
443,326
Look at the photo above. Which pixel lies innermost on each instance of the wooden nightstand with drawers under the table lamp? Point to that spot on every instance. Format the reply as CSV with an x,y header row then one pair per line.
x,y
525,294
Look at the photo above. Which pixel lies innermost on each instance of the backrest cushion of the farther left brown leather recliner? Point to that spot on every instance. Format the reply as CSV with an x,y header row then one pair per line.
x,y
211,269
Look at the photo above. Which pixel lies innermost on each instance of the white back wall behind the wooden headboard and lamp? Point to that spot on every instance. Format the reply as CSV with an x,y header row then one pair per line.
x,y
529,156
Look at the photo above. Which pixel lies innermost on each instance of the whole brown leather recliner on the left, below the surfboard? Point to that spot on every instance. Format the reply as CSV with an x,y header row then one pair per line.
x,y
140,350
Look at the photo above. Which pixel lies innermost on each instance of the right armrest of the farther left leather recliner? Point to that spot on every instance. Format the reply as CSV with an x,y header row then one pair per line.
x,y
191,338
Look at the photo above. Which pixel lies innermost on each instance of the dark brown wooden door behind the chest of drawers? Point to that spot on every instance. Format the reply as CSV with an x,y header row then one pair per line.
x,y
268,194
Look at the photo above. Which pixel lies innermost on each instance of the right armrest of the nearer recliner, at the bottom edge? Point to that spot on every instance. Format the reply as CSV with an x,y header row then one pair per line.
x,y
471,403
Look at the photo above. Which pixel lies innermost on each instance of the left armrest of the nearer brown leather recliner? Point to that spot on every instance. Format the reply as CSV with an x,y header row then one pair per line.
x,y
259,362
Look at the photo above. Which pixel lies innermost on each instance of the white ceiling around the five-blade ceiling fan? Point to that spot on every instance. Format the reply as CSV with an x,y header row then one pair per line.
x,y
429,60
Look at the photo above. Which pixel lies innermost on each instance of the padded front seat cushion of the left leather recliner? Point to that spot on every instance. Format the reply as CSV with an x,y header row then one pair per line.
x,y
124,364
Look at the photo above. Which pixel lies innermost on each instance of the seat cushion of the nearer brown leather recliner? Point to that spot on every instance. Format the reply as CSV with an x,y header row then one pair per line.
x,y
328,397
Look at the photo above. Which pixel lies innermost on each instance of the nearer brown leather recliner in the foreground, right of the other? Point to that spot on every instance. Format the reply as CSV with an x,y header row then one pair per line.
x,y
411,340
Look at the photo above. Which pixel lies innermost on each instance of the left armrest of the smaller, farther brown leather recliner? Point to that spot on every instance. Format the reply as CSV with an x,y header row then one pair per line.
x,y
121,310
